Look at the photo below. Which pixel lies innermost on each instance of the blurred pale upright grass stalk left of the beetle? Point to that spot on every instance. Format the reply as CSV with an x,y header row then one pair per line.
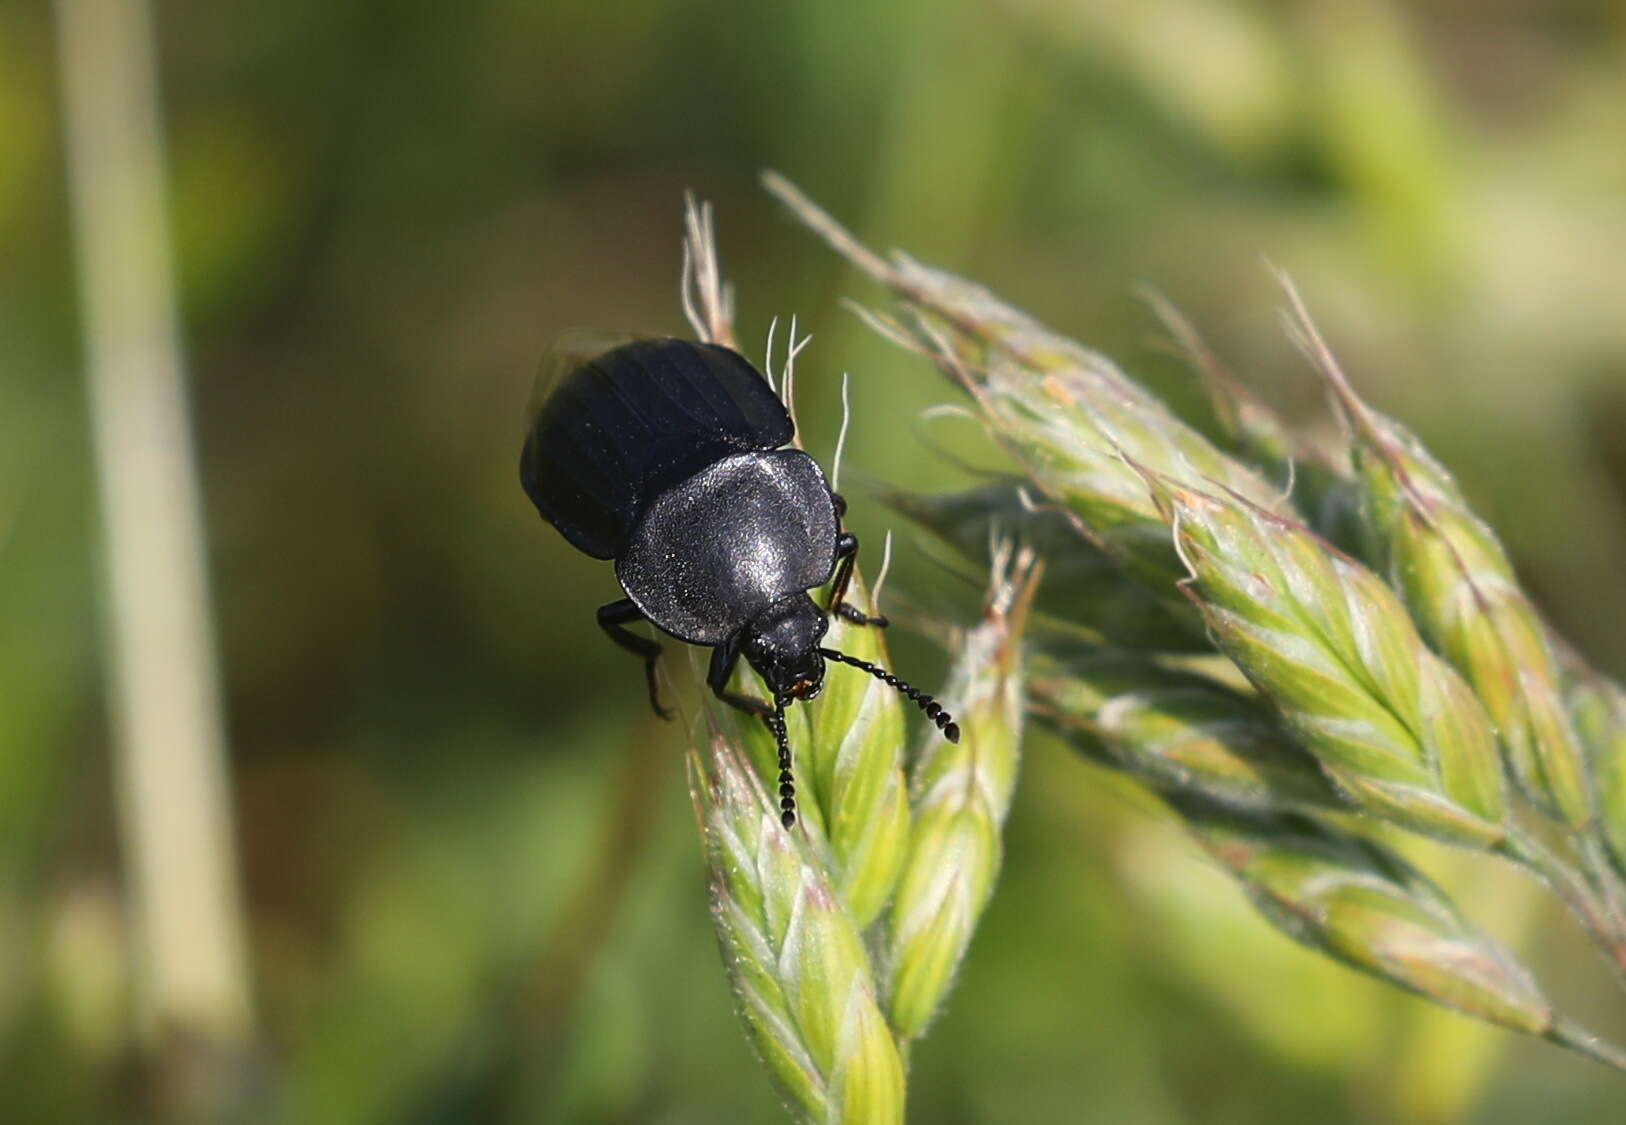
x,y
170,745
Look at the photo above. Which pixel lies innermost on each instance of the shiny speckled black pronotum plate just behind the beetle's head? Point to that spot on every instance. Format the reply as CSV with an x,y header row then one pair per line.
x,y
720,549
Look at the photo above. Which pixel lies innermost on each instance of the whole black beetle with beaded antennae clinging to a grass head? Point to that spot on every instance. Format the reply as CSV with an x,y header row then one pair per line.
x,y
669,458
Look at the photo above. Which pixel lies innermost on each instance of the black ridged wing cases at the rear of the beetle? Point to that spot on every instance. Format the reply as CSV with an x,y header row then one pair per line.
x,y
632,424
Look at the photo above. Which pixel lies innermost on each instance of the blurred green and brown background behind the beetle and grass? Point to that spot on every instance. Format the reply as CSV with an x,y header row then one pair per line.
x,y
472,882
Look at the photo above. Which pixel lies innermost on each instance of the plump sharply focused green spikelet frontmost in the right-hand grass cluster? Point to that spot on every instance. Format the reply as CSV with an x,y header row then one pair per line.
x,y
1331,646
